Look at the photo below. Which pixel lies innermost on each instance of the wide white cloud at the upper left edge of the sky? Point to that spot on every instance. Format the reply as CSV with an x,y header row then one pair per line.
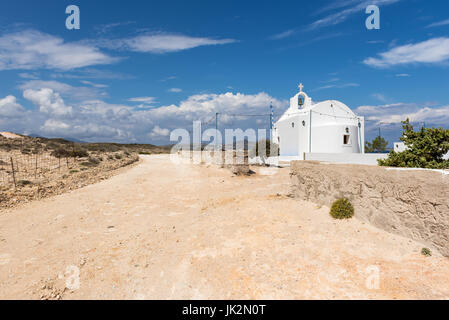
x,y
31,49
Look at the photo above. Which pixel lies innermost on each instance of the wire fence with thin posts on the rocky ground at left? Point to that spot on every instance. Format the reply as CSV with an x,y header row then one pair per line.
x,y
17,169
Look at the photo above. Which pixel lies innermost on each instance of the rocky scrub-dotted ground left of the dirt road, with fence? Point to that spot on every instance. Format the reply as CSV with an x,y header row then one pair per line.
x,y
47,167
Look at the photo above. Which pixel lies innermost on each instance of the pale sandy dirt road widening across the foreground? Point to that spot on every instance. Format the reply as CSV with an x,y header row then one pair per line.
x,y
160,231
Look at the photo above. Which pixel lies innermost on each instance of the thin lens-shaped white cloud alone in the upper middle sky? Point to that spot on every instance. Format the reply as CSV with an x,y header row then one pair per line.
x,y
163,43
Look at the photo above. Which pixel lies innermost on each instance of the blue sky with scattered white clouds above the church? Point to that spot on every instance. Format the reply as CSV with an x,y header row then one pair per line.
x,y
136,70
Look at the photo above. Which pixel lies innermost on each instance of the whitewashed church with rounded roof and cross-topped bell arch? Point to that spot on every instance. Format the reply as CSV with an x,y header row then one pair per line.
x,y
327,127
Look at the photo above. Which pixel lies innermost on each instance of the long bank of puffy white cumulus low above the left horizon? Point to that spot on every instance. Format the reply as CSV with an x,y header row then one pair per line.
x,y
97,120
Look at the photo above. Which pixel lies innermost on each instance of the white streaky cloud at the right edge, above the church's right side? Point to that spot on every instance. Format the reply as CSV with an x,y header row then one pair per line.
x,y
432,51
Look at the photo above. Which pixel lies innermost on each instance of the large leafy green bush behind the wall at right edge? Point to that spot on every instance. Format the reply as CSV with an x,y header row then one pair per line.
x,y
425,149
